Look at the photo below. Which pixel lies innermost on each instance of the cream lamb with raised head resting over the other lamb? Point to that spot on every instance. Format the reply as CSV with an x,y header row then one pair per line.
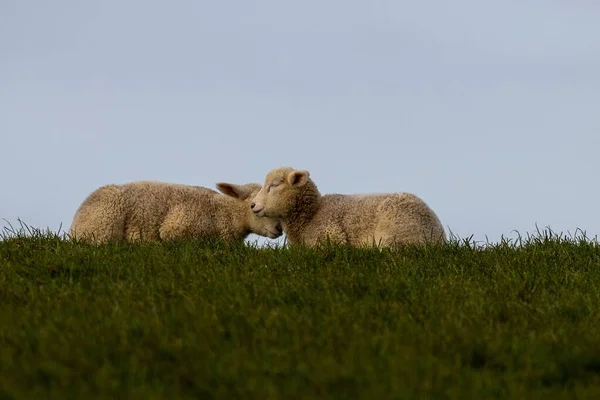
x,y
307,217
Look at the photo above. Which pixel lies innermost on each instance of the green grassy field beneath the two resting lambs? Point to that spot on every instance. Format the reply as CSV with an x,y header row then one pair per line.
x,y
207,320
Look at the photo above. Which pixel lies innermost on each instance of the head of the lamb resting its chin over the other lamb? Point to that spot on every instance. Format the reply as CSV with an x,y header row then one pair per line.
x,y
279,193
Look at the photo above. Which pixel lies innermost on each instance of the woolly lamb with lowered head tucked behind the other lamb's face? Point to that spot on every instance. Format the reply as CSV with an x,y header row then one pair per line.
x,y
158,211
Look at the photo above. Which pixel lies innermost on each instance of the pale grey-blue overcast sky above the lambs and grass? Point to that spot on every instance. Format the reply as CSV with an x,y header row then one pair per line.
x,y
488,111
